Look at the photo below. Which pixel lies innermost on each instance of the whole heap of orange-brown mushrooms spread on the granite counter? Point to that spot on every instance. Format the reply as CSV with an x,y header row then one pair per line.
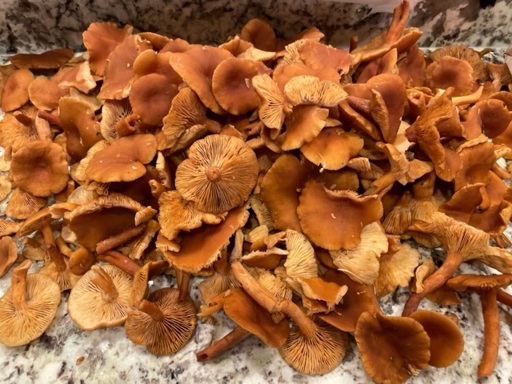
x,y
293,181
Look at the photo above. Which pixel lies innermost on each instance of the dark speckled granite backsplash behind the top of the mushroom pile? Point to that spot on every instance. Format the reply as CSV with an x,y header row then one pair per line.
x,y
30,25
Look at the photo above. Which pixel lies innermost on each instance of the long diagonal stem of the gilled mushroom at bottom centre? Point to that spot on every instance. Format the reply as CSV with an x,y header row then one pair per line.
x,y
272,304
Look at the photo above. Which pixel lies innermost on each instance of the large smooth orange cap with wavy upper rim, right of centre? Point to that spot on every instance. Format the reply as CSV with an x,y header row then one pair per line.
x,y
335,219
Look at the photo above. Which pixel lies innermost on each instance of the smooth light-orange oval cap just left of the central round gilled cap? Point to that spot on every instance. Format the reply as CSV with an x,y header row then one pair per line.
x,y
123,159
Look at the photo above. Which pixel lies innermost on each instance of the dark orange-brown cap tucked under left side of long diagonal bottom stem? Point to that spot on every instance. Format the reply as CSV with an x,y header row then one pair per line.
x,y
252,317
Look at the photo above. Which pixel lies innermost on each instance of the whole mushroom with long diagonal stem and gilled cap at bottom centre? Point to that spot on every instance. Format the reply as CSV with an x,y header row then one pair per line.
x,y
311,348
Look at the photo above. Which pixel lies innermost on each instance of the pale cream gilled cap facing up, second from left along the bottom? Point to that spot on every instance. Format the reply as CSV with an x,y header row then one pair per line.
x,y
100,298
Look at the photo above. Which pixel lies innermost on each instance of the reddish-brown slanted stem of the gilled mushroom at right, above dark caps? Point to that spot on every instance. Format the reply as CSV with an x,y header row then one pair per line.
x,y
436,280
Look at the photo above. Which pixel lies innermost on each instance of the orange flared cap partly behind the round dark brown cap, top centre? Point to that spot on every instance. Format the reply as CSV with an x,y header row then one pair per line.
x,y
196,66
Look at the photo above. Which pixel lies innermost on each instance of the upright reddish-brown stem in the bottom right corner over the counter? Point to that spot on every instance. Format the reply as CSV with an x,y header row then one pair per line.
x,y
491,331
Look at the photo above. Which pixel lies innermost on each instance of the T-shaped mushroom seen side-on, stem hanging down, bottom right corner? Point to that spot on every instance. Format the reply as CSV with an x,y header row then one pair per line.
x,y
487,287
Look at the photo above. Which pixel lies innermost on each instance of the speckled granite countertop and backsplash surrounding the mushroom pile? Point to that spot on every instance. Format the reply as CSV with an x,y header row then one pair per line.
x,y
66,354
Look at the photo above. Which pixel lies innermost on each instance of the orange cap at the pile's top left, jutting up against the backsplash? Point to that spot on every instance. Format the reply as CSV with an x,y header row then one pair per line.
x,y
100,39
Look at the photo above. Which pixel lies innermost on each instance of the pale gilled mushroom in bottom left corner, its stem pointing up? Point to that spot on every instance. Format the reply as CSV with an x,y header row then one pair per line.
x,y
28,307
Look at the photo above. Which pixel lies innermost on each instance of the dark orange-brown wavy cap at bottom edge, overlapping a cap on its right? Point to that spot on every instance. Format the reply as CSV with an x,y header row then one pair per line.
x,y
403,347
